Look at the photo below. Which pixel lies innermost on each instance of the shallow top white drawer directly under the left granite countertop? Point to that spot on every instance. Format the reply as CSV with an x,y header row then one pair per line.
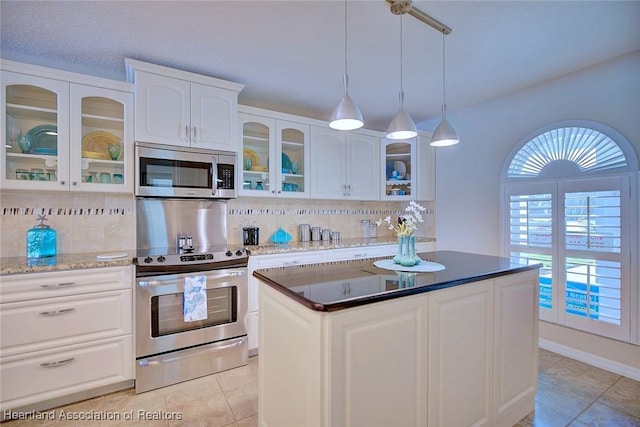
x,y
22,287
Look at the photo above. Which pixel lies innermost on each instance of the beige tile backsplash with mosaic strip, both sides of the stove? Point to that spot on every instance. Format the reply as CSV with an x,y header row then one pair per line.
x,y
92,222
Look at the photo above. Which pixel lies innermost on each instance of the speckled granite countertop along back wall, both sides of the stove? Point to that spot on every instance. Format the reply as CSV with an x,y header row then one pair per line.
x,y
19,265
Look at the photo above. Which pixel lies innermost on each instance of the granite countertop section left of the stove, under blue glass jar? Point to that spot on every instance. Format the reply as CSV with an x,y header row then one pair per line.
x,y
19,265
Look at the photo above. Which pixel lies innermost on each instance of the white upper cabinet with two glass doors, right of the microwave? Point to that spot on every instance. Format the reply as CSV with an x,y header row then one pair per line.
x,y
275,155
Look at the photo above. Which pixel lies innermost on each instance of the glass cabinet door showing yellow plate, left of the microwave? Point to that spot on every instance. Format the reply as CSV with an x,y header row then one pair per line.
x,y
99,129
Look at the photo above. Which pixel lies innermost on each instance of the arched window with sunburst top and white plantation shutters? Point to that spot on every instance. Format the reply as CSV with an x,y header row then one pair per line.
x,y
567,197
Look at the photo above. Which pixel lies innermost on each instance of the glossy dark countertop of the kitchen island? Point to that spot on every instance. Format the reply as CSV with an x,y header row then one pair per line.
x,y
345,284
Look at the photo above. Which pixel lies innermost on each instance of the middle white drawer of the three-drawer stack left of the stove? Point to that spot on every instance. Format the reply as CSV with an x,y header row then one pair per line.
x,y
41,324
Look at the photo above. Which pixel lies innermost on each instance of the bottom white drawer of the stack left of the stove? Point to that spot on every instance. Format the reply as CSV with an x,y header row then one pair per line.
x,y
50,374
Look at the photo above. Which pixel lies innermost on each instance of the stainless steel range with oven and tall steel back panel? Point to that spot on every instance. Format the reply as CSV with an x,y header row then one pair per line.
x,y
180,241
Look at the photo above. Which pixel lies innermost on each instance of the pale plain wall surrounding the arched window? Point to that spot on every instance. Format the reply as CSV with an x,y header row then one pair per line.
x,y
468,174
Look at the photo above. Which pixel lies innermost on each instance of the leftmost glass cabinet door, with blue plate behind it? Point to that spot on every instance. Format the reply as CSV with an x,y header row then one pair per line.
x,y
35,143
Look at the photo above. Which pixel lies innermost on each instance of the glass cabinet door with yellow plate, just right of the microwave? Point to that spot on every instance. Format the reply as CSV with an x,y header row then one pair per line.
x,y
257,154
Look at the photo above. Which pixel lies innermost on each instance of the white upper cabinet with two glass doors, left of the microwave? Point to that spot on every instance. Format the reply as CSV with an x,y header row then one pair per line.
x,y
70,121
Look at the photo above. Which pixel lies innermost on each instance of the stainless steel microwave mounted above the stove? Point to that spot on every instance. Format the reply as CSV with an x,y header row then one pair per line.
x,y
167,171
